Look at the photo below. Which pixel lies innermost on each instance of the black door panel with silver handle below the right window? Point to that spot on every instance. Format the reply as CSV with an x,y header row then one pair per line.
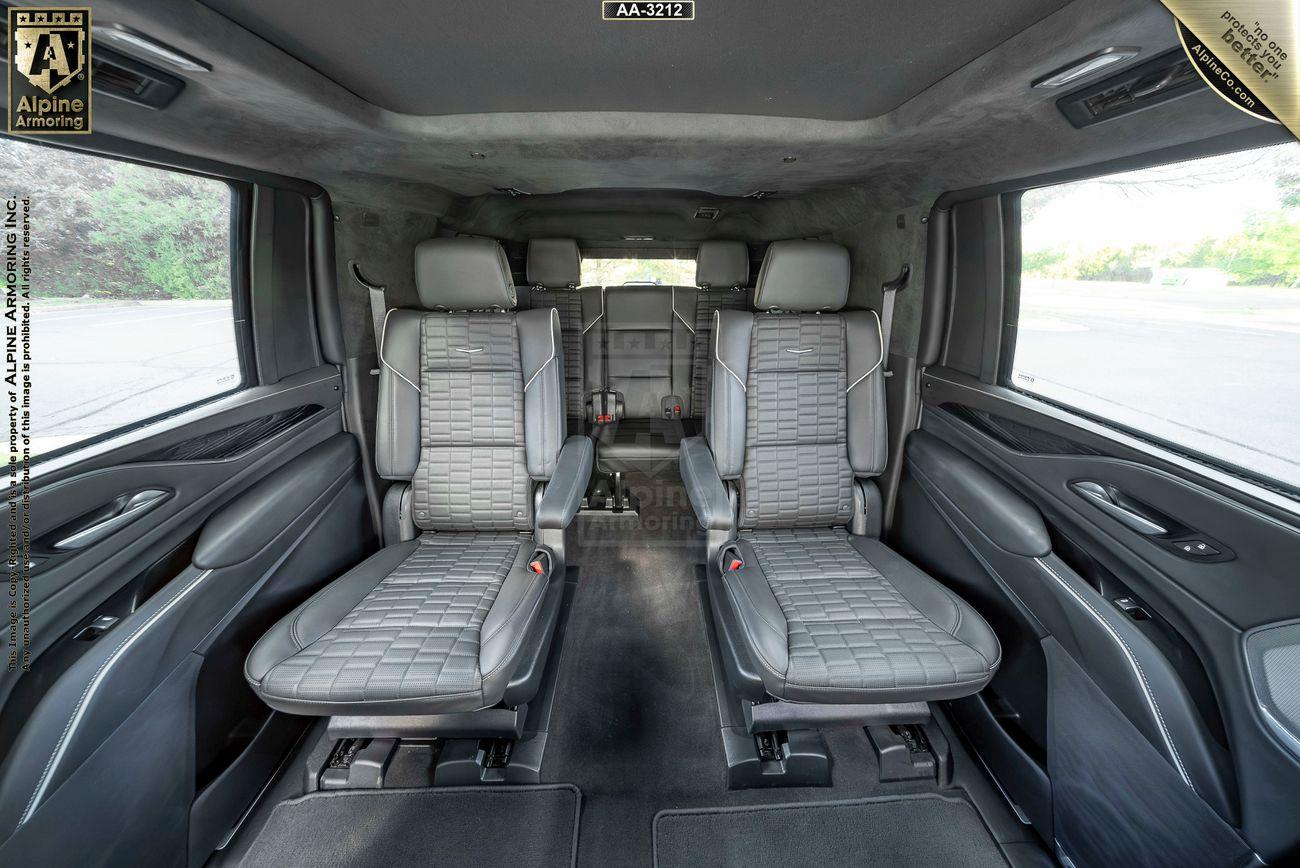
x,y
1191,614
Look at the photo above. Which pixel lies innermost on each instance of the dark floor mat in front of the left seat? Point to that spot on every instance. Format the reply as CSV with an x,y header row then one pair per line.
x,y
521,827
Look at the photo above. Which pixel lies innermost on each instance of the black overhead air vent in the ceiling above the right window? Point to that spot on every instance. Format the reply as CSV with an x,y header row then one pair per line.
x,y
1168,77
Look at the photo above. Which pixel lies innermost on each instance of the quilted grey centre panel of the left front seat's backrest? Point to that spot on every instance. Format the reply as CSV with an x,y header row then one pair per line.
x,y
473,472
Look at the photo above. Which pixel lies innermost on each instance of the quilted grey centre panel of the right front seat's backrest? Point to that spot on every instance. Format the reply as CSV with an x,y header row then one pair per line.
x,y
796,471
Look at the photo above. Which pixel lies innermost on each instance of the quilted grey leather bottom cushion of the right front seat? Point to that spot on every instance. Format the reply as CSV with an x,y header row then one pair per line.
x,y
838,619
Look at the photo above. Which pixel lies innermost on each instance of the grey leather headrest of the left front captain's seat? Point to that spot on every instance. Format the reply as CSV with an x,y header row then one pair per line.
x,y
463,275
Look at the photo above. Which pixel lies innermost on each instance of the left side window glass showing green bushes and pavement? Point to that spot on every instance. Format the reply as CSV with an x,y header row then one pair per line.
x,y
132,309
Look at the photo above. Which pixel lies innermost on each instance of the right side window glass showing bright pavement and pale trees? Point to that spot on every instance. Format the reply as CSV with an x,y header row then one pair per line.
x,y
1168,302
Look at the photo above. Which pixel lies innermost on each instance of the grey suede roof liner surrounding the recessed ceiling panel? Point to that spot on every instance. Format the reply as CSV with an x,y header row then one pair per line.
x,y
265,110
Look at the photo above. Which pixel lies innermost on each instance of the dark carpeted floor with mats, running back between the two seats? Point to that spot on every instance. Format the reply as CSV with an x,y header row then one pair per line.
x,y
635,727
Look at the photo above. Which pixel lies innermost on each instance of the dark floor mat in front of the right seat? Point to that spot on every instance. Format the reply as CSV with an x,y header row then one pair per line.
x,y
921,831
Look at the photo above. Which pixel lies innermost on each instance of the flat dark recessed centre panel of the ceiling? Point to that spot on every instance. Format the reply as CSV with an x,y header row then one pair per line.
x,y
838,60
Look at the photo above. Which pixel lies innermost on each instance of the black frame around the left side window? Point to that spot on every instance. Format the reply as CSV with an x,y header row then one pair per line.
x,y
241,302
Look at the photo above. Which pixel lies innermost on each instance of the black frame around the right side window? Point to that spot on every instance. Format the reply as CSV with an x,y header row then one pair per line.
x,y
1012,316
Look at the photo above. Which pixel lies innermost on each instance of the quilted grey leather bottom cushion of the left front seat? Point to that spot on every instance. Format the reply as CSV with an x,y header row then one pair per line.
x,y
432,626
